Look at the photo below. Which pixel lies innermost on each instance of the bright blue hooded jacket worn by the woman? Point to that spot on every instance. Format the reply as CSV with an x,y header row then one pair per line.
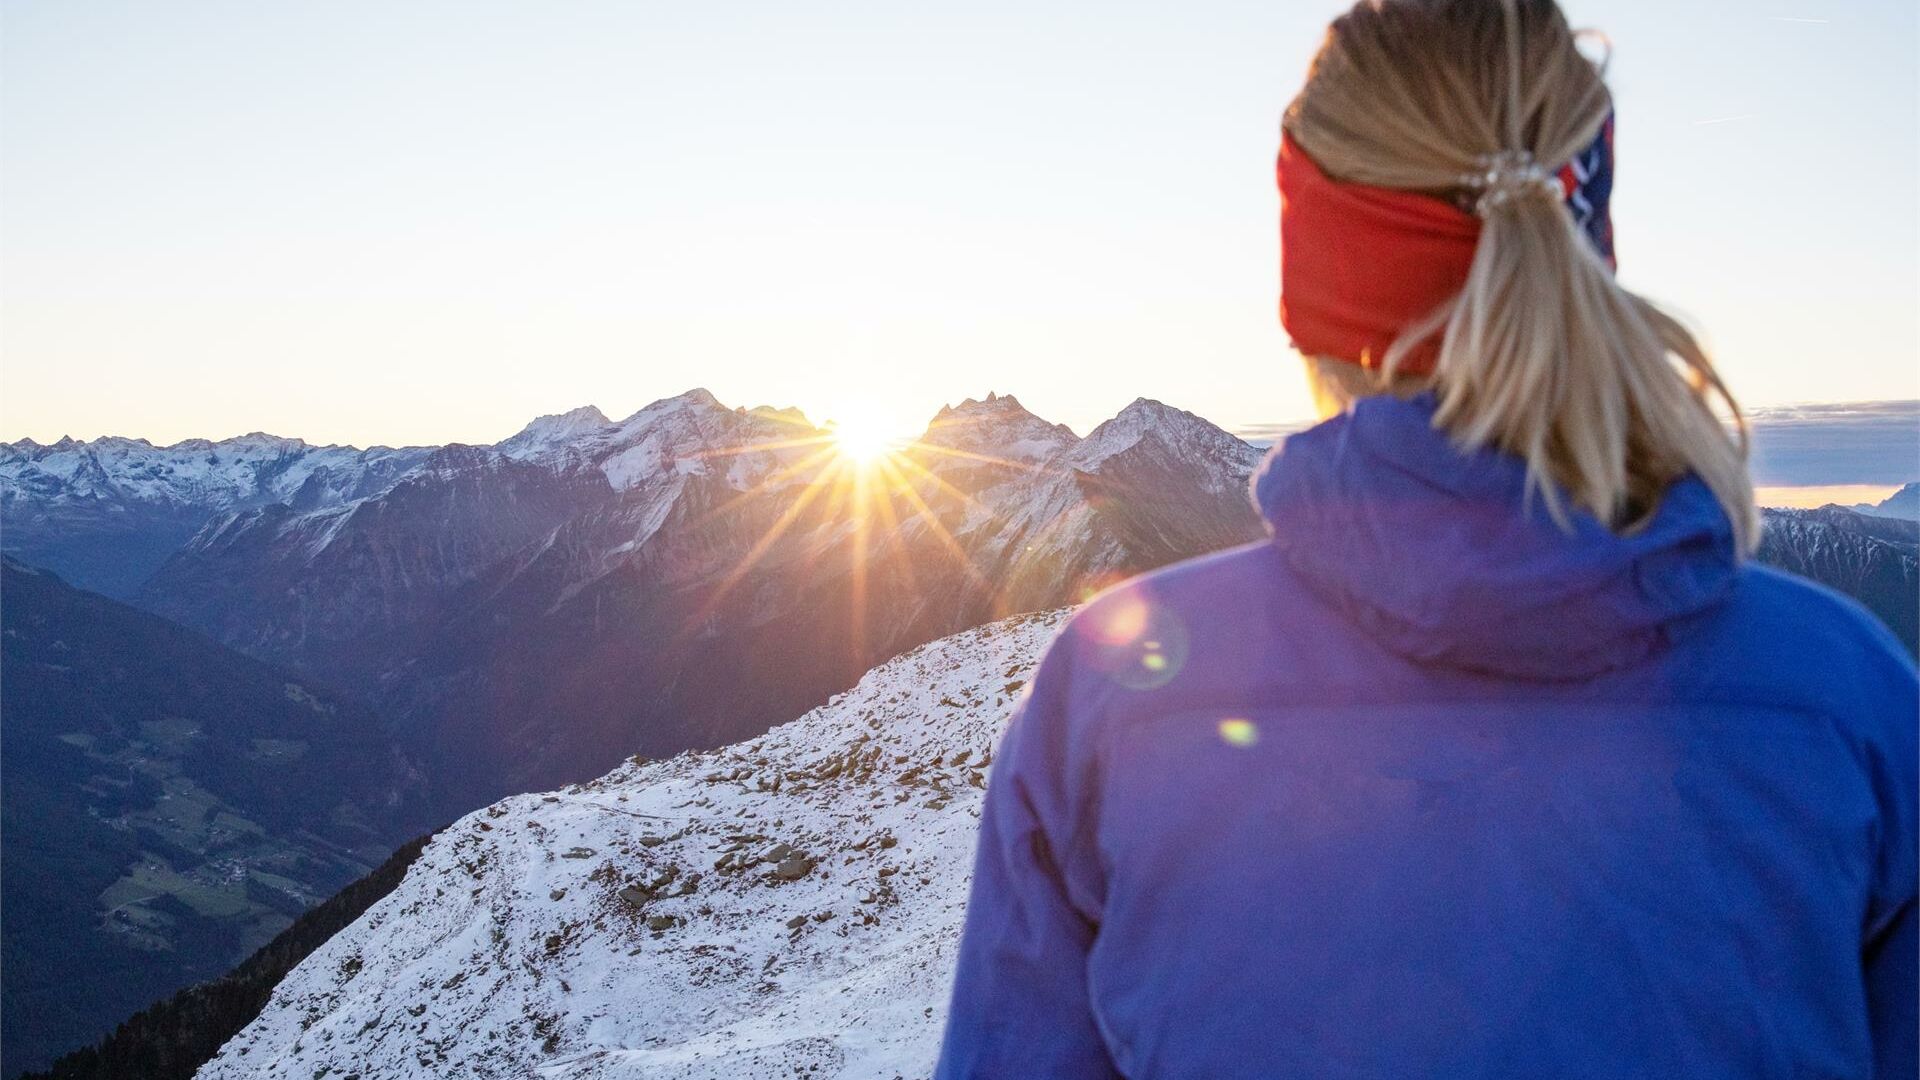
x,y
1431,787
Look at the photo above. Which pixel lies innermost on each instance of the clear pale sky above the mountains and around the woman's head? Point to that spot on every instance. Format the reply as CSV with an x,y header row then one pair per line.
x,y
427,222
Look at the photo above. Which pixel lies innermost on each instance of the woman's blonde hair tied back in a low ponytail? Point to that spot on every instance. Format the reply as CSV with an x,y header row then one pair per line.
x,y
1543,353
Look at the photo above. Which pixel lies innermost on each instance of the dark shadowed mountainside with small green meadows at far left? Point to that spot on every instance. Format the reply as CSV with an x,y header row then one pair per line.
x,y
168,806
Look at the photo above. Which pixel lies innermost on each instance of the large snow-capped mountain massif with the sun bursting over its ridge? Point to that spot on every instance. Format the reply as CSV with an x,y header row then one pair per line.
x,y
537,610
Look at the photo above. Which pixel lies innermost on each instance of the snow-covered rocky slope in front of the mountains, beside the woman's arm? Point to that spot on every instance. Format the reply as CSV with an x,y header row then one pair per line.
x,y
780,908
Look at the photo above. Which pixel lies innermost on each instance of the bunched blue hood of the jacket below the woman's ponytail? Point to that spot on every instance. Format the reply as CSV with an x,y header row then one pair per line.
x,y
1443,556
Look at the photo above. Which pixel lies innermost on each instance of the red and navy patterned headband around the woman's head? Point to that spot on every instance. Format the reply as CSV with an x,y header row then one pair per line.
x,y
1360,264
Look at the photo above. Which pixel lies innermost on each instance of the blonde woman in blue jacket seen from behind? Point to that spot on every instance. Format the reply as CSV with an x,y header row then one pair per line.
x,y
1497,760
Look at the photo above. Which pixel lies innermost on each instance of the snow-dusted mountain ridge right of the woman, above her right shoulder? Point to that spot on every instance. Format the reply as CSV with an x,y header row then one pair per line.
x,y
1875,560
